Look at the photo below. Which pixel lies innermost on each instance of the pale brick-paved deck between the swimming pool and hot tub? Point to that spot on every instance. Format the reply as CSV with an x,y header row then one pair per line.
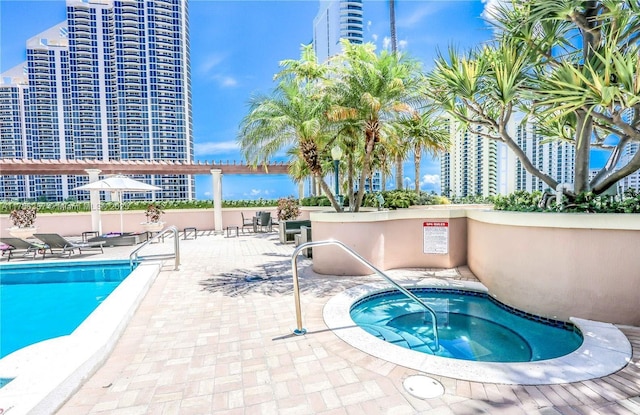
x,y
215,338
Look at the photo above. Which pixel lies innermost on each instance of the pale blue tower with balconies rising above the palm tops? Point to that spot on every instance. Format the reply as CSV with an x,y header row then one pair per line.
x,y
337,19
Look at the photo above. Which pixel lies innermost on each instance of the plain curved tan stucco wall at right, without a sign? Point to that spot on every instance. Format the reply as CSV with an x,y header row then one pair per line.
x,y
560,266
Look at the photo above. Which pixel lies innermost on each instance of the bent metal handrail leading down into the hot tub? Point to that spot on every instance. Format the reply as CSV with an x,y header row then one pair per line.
x,y
296,287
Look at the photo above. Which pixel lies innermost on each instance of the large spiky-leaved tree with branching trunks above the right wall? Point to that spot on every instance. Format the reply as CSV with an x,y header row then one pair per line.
x,y
570,67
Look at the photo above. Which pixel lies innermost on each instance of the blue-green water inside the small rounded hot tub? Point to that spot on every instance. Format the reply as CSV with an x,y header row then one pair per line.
x,y
471,326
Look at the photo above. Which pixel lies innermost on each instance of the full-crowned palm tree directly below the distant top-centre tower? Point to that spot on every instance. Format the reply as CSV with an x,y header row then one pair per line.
x,y
373,91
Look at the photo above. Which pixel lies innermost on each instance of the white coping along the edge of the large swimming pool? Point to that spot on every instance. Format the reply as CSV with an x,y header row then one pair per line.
x,y
47,373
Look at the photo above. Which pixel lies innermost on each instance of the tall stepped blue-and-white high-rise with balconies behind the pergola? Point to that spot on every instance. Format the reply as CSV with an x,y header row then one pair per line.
x,y
111,82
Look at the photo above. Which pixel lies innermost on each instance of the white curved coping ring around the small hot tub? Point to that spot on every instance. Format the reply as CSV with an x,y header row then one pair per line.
x,y
605,348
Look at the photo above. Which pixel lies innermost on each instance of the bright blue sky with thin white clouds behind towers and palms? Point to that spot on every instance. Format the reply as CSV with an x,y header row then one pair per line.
x,y
235,50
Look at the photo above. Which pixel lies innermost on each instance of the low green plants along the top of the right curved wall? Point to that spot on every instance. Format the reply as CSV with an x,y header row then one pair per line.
x,y
588,202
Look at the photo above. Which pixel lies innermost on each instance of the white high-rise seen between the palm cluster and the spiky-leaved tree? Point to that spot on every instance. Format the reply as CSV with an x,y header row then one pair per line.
x,y
470,167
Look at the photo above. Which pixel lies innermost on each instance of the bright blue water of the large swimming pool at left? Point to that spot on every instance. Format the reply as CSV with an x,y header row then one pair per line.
x,y
40,302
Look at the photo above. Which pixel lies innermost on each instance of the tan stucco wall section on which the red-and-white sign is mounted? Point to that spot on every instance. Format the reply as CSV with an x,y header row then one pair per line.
x,y
387,239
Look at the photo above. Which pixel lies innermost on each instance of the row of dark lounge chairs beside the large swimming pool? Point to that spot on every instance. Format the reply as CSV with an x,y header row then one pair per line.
x,y
52,243
